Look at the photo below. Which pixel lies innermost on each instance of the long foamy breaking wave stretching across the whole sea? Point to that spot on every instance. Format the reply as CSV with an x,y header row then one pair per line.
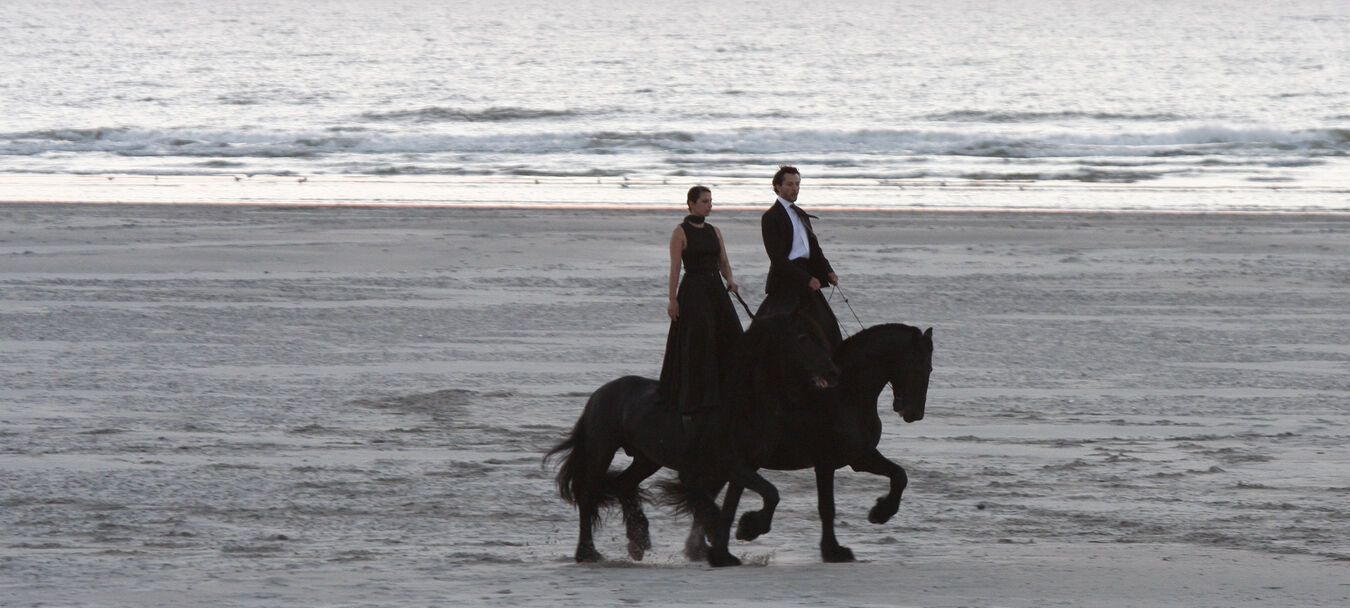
x,y
1232,145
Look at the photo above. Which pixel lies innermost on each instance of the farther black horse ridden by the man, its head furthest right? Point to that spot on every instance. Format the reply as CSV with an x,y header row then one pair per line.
x,y
843,429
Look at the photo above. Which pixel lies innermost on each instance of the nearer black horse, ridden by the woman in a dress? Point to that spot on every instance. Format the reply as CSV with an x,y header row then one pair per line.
x,y
778,361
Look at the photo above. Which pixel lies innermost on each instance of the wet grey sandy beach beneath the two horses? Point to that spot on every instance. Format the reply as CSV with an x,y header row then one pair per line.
x,y
250,406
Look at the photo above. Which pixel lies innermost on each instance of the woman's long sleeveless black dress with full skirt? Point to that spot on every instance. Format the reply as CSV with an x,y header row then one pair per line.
x,y
700,343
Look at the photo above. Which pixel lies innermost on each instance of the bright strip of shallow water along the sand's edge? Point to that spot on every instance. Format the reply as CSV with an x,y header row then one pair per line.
x,y
855,195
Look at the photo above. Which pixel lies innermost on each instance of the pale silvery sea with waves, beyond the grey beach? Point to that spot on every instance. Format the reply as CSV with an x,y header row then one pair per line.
x,y
1059,105
